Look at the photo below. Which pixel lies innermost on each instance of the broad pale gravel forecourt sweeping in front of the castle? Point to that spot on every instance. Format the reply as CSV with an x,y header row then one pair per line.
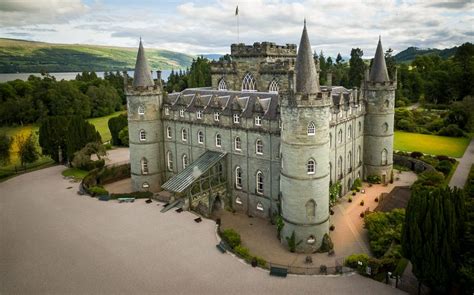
x,y
53,241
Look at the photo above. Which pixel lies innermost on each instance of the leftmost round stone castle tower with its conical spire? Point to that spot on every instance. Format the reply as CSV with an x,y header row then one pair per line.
x,y
144,100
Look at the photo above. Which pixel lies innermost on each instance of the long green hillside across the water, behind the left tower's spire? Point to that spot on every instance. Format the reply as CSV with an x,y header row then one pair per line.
x,y
28,56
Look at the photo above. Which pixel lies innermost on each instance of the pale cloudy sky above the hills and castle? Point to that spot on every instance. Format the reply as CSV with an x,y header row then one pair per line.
x,y
210,26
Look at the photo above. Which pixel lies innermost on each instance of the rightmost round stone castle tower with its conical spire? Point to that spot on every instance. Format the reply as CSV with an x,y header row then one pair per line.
x,y
379,93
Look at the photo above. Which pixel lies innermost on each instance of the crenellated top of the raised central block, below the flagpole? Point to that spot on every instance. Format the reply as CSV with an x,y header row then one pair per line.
x,y
263,49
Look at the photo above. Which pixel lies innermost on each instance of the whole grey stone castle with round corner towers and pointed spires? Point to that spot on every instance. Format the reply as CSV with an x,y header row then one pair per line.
x,y
266,139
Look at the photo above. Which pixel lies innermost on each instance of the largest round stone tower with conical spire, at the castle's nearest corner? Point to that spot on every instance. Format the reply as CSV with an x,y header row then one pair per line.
x,y
304,177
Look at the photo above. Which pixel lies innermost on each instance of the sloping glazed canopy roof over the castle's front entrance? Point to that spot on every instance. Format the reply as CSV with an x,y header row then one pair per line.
x,y
186,178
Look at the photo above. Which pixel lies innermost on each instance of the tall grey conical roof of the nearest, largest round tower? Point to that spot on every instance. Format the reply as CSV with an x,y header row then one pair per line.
x,y
306,76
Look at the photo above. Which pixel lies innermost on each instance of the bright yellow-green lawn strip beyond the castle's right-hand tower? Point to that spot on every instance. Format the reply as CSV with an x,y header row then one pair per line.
x,y
430,144
